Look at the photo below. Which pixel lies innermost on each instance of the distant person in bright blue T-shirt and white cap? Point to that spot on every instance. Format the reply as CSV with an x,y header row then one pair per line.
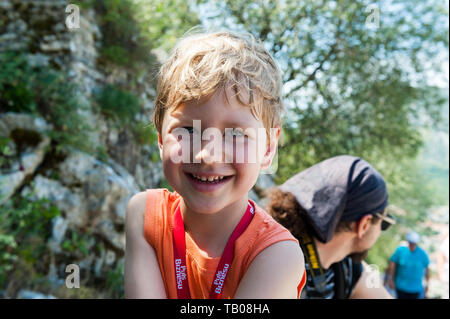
x,y
407,267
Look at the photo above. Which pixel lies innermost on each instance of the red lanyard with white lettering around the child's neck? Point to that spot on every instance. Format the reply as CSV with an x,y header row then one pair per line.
x,y
179,253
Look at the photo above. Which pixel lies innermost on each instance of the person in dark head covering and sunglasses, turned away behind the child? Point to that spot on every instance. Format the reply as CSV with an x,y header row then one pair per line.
x,y
337,210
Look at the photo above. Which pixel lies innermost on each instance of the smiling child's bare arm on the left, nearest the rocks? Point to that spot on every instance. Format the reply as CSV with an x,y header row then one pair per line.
x,y
142,275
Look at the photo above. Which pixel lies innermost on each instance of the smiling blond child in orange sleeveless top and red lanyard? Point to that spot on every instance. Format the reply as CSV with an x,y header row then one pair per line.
x,y
216,93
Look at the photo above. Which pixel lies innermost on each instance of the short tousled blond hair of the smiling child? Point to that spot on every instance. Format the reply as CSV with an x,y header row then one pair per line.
x,y
202,64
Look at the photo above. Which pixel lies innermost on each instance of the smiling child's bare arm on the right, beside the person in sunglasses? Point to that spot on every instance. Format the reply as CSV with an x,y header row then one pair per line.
x,y
274,273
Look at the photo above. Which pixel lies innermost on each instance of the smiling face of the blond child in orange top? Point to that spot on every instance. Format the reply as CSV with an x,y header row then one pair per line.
x,y
220,170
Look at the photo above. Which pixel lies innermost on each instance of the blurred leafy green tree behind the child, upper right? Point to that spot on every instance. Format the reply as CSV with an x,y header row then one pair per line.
x,y
350,86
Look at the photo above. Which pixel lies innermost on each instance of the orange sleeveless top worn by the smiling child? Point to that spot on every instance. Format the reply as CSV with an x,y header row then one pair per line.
x,y
262,232
